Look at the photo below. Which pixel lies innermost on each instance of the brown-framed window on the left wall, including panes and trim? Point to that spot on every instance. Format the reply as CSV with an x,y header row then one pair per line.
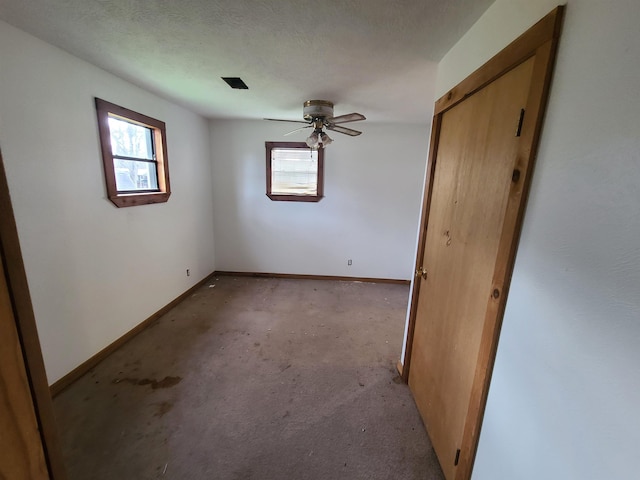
x,y
134,154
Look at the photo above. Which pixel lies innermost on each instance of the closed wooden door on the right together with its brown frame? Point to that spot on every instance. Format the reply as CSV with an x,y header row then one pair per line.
x,y
481,160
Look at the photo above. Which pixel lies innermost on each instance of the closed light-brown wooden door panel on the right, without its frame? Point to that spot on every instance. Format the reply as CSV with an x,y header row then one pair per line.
x,y
470,192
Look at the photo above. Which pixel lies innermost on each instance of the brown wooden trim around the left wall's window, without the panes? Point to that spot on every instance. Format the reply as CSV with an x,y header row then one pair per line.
x,y
103,109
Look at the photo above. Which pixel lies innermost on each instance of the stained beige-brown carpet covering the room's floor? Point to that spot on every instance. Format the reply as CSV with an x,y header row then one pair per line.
x,y
254,378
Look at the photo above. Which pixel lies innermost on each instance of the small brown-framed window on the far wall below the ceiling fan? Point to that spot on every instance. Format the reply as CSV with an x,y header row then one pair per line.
x,y
294,172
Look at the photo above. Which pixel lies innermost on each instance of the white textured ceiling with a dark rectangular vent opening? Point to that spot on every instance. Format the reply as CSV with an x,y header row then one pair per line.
x,y
376,57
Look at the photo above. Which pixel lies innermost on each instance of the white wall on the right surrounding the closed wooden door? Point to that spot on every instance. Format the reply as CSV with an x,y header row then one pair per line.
x,y
563,402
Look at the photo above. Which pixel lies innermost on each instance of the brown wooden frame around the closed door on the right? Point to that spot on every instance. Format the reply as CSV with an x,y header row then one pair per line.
x,y
541,41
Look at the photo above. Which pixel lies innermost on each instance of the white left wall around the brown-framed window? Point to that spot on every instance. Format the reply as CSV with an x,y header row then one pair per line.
x,y
94,271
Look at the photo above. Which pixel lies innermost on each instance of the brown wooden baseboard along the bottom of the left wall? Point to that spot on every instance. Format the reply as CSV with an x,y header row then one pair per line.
x,y
84,367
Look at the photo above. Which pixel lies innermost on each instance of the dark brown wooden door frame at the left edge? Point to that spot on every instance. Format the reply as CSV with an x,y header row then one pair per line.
x,y
27,332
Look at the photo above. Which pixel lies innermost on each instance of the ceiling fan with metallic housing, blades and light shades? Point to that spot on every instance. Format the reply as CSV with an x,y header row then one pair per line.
x,y
318,114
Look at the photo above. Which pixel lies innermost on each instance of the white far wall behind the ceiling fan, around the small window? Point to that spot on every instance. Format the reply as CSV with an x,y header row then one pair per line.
x,y
369,214
